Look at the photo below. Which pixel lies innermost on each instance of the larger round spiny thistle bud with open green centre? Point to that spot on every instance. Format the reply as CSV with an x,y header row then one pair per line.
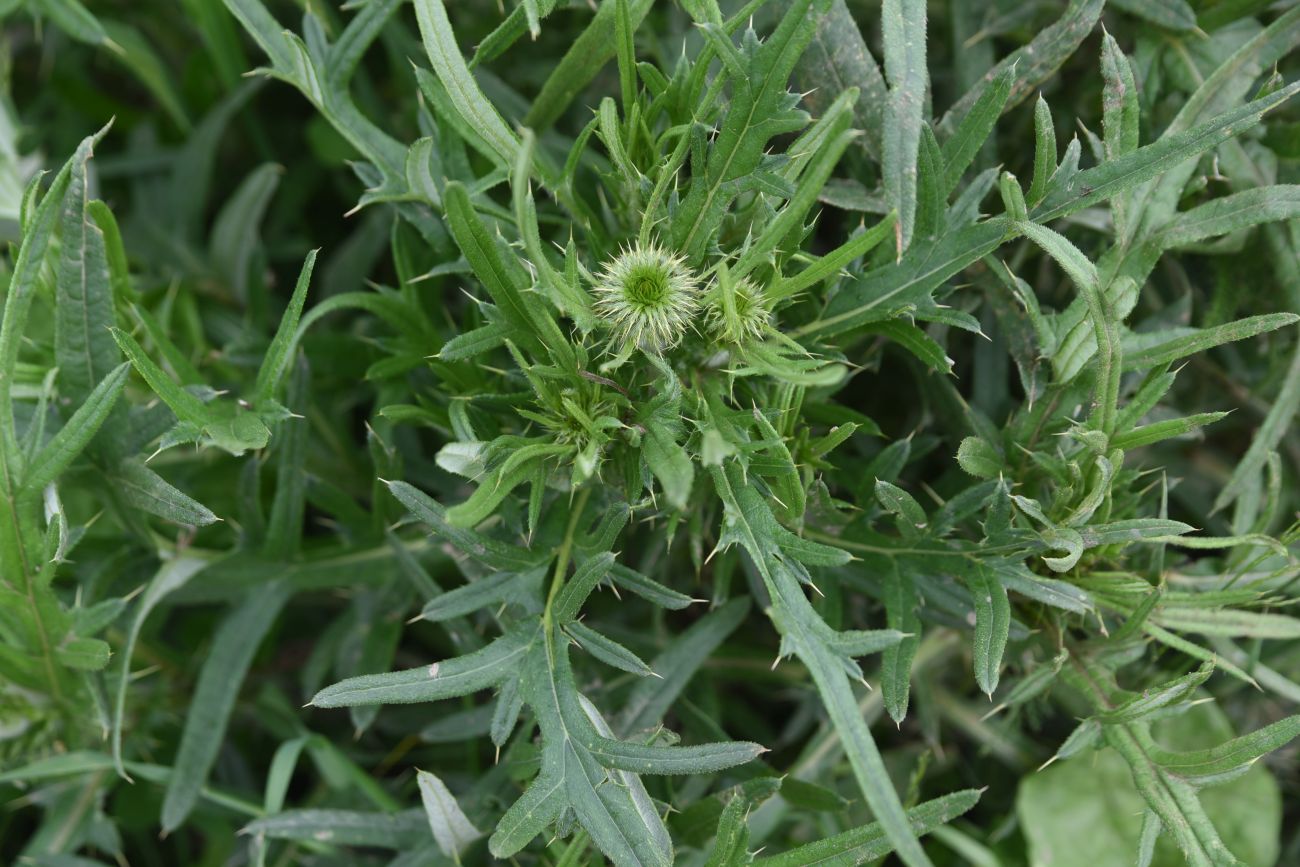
x,y
648,296
